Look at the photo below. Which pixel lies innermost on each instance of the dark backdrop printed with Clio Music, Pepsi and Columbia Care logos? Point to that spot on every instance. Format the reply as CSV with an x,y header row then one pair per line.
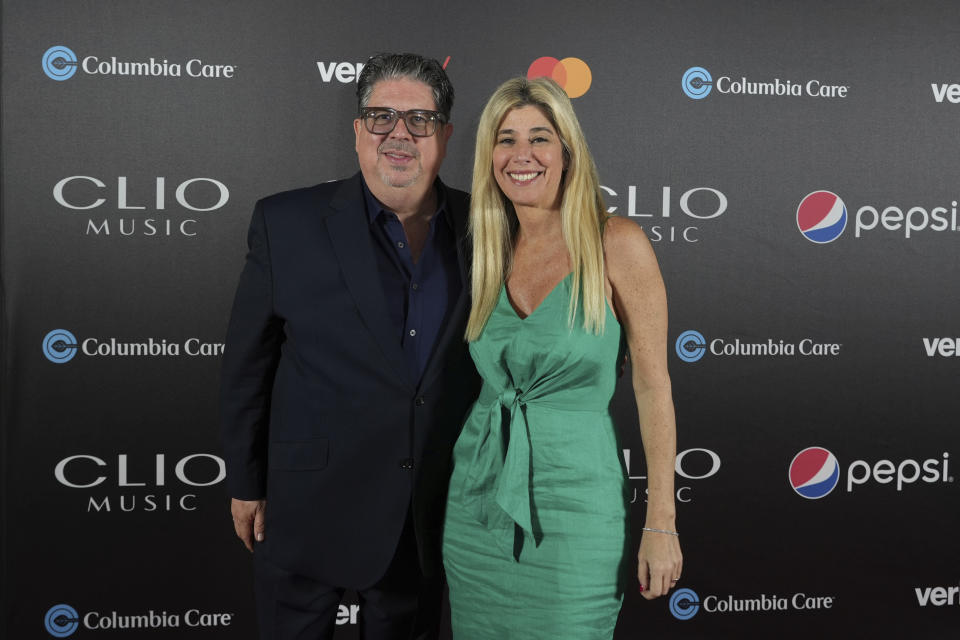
x,y
795,165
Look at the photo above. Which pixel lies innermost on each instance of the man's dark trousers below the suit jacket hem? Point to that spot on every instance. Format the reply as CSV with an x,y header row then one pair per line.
x,y
402,605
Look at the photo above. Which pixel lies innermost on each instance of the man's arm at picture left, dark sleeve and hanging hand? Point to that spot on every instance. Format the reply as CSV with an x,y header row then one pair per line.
x,y
250,361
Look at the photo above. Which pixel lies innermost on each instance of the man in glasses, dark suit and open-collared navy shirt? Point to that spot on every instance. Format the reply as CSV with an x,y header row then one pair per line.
x,y
346,378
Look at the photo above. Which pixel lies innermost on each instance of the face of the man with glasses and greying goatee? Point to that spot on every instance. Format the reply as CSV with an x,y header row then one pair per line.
x,y
398,159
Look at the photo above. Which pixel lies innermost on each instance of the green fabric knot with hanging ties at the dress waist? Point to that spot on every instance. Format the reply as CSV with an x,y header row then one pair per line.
x,y
497,486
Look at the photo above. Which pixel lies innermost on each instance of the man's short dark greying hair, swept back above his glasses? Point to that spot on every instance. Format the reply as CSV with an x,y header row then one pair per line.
x,y
392,66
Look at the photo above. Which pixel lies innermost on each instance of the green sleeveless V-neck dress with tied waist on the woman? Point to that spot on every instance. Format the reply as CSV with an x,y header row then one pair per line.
x,y
535,532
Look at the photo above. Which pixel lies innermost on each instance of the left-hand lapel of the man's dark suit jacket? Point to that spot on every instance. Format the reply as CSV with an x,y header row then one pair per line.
x,y
349,232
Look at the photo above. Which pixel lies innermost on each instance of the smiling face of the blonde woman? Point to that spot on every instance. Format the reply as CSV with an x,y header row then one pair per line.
x,y
528,160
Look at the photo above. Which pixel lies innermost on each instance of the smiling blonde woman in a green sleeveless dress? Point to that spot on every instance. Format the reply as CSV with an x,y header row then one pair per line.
x,y
535,533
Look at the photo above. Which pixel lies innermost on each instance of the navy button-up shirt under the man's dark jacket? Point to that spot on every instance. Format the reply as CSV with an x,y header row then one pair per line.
x,y
419,297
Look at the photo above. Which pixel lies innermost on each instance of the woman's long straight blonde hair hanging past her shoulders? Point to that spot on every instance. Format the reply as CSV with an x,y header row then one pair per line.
x,y
493,220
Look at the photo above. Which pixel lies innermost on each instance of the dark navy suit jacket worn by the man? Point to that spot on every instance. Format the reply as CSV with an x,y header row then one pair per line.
x,y
320,414
